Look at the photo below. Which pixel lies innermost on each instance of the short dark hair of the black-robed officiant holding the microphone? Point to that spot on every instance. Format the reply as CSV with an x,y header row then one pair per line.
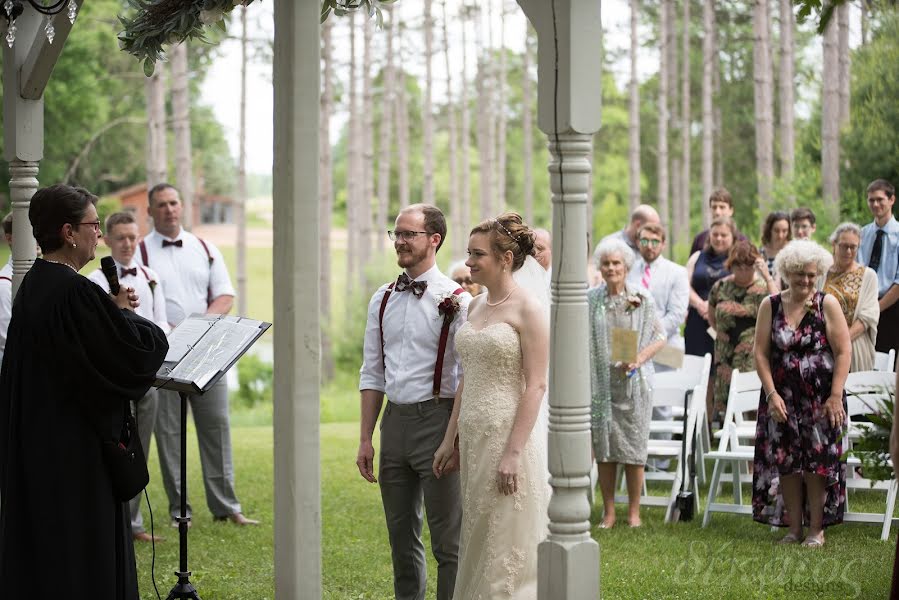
x,y
54,206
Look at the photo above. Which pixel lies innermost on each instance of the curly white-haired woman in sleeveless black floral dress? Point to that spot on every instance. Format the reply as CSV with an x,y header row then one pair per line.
x,y
802,353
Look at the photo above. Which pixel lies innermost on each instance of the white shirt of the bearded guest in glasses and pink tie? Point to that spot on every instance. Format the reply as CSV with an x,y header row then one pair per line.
x,y
670,290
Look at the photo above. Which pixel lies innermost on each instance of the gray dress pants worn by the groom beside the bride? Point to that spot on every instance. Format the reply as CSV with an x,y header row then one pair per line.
x,y
410,434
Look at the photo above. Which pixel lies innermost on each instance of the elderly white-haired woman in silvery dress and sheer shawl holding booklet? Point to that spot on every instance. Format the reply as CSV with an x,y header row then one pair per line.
x,y
621,399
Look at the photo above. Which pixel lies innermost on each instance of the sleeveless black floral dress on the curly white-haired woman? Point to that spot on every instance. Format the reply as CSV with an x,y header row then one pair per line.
x,y
802,366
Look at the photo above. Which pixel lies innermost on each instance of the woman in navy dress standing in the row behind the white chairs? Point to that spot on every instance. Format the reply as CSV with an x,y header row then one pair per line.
x,y
704,268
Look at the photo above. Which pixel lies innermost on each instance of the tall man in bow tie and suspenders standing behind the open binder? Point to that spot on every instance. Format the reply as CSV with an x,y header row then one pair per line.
x,y
196,281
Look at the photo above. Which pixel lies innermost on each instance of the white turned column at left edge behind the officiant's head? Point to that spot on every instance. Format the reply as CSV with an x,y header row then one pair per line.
x,y
23,139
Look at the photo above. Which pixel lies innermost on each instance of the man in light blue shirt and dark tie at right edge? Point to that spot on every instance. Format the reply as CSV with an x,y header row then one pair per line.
x,y
879,250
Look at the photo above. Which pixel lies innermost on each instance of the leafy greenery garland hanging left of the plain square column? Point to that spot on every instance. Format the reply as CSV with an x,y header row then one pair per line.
x,y
158,23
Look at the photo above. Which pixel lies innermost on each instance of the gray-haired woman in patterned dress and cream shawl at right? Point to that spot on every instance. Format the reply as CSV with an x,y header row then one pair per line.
x,y
855,288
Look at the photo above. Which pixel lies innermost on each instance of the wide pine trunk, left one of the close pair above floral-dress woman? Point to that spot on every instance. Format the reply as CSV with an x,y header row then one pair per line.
x,y
764,132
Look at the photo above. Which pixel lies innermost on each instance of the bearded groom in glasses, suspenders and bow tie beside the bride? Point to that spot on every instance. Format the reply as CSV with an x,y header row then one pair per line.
x,y
409,355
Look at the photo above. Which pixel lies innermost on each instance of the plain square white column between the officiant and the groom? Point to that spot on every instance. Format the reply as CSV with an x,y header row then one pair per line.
x,y
296,327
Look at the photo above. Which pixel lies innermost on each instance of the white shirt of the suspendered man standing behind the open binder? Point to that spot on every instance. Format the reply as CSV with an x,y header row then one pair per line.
x,y
190,281
